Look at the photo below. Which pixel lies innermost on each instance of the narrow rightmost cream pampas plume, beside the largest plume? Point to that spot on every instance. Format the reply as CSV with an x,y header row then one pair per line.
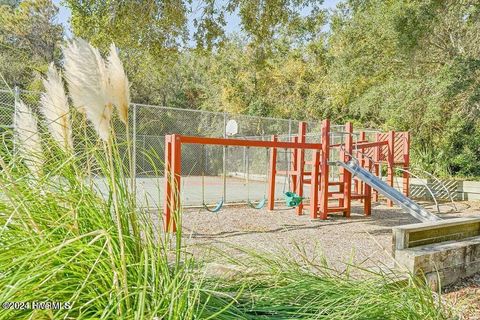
x,y
119,84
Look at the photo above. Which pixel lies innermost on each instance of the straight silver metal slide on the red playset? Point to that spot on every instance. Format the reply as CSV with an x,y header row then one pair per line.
x,y
413,208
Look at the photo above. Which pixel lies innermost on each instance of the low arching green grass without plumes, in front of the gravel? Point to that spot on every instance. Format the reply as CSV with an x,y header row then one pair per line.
x,y
281,287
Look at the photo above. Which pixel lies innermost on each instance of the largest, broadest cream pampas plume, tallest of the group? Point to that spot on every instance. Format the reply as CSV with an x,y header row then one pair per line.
x,y
88,84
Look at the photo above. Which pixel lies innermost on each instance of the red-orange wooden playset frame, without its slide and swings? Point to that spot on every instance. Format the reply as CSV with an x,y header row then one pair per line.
x,y
320,193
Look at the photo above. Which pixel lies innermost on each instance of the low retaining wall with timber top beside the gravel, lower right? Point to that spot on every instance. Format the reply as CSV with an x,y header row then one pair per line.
x,y
443,251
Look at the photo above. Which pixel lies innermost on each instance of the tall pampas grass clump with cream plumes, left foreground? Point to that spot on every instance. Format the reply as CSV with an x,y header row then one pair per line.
x,y
73,236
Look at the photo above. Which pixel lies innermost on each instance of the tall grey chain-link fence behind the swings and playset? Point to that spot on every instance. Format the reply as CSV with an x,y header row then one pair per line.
x,y
209,173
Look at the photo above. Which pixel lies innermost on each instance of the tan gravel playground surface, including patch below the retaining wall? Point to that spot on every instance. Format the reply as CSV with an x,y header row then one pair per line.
x,y
365,241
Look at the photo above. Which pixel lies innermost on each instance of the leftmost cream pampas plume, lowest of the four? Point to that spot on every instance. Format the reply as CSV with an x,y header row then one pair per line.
x,y
27,138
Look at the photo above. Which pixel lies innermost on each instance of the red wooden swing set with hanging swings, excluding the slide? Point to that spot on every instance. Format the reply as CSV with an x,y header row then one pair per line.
x,y
390,148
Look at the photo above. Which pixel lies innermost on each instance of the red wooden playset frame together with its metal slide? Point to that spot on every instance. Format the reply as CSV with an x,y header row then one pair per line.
x,y
358,165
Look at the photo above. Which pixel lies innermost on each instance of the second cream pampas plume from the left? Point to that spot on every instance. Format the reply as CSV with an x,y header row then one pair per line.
x,y
54,103
